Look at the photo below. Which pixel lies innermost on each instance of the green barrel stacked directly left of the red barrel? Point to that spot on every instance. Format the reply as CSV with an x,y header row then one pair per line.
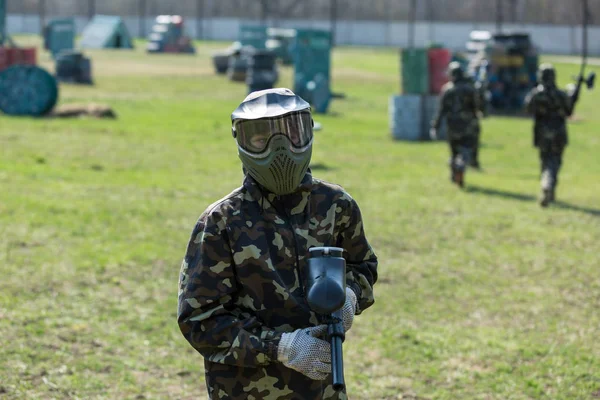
x,y
415,71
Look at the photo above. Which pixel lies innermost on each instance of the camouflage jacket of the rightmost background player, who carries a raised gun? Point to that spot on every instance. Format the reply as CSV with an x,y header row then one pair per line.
x,y
551,107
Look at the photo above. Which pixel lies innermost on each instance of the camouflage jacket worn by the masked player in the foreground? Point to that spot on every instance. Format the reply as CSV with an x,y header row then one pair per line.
x,y
242,283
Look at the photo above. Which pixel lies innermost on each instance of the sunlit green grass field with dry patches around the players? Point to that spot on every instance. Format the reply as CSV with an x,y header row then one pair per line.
x,y
482,294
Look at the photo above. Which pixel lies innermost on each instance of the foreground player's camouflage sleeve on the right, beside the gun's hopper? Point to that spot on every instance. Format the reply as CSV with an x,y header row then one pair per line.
x,y
361,261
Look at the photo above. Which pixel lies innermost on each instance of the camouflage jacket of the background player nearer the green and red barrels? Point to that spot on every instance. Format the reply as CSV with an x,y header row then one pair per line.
x,y
459,104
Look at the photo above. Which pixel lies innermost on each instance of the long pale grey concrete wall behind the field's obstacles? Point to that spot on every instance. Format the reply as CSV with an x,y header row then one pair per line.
x,y
551,39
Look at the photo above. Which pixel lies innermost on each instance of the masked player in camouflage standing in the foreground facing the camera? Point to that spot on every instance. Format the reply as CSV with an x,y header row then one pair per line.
x,y
242,295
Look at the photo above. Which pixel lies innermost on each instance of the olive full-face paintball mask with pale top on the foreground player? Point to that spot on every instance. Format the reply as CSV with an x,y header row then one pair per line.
x,y
274,133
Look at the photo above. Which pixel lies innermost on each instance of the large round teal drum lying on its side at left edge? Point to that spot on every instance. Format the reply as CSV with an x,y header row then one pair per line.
x,y
27,90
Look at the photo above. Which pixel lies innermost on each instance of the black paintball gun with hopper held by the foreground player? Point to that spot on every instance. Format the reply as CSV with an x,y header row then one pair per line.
x,y
326,294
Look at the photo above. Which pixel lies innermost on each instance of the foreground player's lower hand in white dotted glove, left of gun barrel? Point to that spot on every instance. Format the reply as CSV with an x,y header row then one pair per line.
x,y
302,351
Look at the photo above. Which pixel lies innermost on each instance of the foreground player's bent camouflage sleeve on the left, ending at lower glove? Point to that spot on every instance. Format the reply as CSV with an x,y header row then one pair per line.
x,y
207,314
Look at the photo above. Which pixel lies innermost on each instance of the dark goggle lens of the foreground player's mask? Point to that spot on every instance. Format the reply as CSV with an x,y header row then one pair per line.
x,y
254,135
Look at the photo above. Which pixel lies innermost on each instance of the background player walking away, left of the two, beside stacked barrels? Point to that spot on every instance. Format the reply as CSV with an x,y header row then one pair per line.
x,y
459,104
